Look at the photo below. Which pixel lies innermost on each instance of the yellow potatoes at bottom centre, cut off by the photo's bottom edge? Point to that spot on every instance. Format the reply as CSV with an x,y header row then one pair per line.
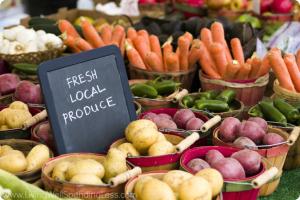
x,y
180,185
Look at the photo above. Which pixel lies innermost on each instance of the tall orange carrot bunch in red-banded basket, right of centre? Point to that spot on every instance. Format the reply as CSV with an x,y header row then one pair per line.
x,y
217,61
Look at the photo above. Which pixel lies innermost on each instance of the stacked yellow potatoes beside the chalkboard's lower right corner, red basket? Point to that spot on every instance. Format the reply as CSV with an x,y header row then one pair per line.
x,y
144,139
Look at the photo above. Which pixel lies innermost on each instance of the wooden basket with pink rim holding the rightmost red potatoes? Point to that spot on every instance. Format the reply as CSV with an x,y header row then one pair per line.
x,y
275,157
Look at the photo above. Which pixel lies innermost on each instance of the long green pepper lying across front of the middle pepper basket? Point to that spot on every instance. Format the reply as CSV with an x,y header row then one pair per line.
x,y
211,105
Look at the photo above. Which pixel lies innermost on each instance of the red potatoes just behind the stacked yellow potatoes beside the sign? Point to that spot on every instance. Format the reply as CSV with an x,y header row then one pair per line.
x,y
183,119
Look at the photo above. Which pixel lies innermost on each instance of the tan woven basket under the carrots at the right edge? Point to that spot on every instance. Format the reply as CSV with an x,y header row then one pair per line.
x,y
291,97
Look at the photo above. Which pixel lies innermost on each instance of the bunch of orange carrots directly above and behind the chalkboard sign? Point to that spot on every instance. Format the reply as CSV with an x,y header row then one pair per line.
x,y
91,38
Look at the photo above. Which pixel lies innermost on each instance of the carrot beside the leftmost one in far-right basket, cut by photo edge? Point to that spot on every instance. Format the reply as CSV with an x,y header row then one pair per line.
x,y
292,67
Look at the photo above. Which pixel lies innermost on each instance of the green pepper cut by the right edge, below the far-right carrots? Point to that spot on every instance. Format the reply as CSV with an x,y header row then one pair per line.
x,y
290,112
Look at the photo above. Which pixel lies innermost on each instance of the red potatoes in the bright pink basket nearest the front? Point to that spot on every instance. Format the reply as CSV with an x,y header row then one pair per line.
x,y
239,165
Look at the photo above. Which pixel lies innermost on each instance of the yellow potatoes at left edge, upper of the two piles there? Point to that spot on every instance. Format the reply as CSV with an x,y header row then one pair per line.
x,y
14,116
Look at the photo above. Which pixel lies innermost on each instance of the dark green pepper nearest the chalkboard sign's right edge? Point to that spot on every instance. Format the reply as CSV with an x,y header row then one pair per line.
x,y
143,90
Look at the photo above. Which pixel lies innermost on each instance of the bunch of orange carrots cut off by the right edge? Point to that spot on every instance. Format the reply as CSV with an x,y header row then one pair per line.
x,y
286,69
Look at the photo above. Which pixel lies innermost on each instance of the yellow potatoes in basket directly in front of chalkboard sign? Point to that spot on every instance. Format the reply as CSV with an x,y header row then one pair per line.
x,y
91,171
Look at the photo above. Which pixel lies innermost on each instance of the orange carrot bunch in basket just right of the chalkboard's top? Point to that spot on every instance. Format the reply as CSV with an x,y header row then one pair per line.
x,y
144,51
